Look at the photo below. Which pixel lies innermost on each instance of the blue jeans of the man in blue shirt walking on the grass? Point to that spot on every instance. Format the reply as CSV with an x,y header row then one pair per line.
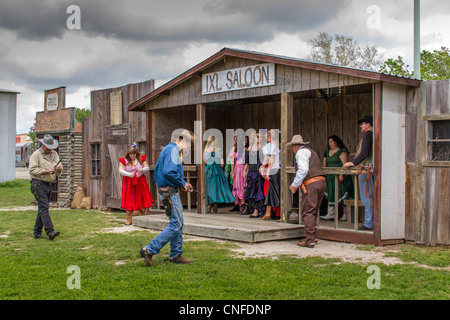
x,y
173,233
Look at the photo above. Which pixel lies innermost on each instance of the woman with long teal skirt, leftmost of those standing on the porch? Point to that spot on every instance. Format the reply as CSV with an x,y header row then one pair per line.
x,y
217,188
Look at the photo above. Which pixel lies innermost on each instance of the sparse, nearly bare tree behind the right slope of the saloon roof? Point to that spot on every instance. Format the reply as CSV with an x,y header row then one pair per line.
x,y
344,51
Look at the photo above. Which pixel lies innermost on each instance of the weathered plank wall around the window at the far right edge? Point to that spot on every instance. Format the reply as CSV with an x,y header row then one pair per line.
x,y
427,186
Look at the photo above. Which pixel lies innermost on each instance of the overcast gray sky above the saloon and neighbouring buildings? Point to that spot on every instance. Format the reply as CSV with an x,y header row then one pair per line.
x,y
121,42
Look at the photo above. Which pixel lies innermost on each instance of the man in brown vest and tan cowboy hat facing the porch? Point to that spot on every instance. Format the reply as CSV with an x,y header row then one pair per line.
x,y
311,178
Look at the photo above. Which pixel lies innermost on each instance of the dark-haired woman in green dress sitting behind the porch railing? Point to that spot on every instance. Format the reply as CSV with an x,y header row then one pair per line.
x,y
336,156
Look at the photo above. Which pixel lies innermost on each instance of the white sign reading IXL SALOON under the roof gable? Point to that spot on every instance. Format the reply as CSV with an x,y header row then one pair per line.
x,y
260,75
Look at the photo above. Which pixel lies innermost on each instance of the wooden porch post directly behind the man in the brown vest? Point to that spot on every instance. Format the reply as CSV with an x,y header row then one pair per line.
x,y
287,115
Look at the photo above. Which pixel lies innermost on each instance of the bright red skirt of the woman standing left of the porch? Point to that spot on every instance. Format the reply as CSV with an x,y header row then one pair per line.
x,y
135,194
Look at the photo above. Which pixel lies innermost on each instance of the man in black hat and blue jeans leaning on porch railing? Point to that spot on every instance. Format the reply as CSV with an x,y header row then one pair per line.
x,y
365,158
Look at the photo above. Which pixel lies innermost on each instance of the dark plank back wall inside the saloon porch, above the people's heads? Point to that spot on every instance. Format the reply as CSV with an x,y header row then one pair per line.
x,y
313,119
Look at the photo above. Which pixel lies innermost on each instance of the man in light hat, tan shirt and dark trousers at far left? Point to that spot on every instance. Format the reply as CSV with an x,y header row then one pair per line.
x,y
45,167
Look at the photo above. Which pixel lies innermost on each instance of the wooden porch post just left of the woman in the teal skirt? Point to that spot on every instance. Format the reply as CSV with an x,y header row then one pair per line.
x,y
200,146
